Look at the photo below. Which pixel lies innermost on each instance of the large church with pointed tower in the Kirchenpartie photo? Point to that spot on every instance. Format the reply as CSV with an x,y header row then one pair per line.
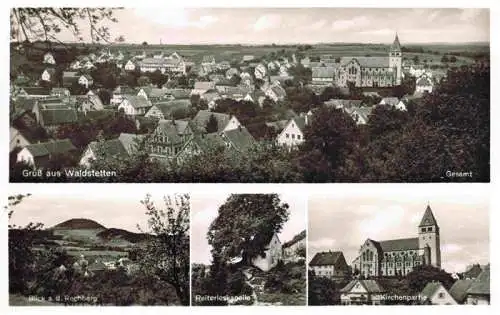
x,y
398,257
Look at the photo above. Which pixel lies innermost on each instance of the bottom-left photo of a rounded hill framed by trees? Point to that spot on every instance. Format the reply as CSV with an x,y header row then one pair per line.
x,y
94,249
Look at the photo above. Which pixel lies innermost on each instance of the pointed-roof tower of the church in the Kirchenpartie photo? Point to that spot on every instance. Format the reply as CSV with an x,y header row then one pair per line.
x,y
428,238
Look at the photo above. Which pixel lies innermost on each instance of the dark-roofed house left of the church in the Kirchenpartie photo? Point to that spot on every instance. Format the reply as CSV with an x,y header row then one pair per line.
x,y
329,264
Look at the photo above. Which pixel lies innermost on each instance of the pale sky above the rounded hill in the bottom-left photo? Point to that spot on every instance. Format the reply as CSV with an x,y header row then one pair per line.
x,y
111,207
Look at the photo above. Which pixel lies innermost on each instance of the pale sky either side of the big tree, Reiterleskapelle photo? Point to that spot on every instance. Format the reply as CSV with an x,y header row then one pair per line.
x,y
204,209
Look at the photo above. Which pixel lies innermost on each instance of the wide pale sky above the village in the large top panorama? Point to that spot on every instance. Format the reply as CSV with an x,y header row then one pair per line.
x,y
254,25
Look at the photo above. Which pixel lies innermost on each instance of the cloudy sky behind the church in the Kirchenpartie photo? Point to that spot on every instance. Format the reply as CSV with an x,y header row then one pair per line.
x,y
343,224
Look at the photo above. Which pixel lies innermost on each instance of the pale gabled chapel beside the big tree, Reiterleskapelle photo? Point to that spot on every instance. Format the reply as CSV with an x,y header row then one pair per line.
x,y
273,252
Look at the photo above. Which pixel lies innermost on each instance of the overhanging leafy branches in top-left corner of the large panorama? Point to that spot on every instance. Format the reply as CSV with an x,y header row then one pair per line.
x,y
32,24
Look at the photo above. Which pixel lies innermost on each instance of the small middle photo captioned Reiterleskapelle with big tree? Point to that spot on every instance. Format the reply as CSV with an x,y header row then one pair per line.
x,y
248,249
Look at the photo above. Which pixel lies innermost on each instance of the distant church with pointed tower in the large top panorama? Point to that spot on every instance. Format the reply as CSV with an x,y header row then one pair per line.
x,y
371,71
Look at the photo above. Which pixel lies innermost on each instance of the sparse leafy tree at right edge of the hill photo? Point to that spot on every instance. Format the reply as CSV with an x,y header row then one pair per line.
x,y
167,253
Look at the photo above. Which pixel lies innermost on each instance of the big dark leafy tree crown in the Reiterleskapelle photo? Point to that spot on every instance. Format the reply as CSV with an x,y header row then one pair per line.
x,y
244,225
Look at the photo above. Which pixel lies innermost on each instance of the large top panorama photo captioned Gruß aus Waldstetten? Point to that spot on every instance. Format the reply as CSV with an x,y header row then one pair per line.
x,y
249,94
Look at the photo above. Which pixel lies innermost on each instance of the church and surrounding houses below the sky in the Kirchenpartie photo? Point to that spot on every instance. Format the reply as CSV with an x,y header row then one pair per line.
x,y
404,271
